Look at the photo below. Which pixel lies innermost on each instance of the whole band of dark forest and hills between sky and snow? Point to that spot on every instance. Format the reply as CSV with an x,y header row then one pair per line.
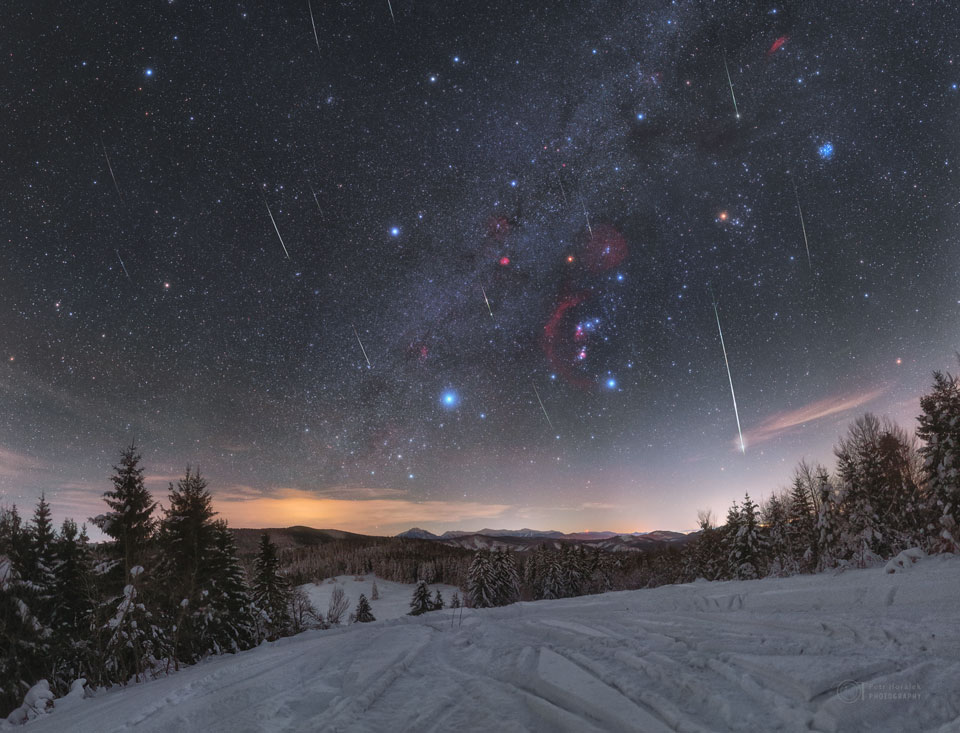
x,y
171,587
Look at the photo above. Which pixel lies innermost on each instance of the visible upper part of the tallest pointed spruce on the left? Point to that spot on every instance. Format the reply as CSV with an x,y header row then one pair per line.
x,y
129,522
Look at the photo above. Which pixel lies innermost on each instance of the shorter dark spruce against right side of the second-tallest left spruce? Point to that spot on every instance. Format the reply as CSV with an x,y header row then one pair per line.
x,y
232,622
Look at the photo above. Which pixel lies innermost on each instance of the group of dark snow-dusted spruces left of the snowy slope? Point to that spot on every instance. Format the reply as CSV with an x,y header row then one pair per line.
x,y
162,592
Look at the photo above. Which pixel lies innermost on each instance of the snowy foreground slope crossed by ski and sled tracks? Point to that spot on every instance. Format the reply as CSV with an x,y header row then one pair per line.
x,y
859,651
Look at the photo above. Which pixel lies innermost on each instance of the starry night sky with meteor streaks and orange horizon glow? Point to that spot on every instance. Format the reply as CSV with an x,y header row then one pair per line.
x,y
212,219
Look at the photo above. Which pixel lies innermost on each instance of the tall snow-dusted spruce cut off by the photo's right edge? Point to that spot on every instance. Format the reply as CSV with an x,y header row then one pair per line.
x,y
940,430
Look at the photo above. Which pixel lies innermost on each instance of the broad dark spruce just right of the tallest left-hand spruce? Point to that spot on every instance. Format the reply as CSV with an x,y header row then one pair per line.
x,y
186,539
